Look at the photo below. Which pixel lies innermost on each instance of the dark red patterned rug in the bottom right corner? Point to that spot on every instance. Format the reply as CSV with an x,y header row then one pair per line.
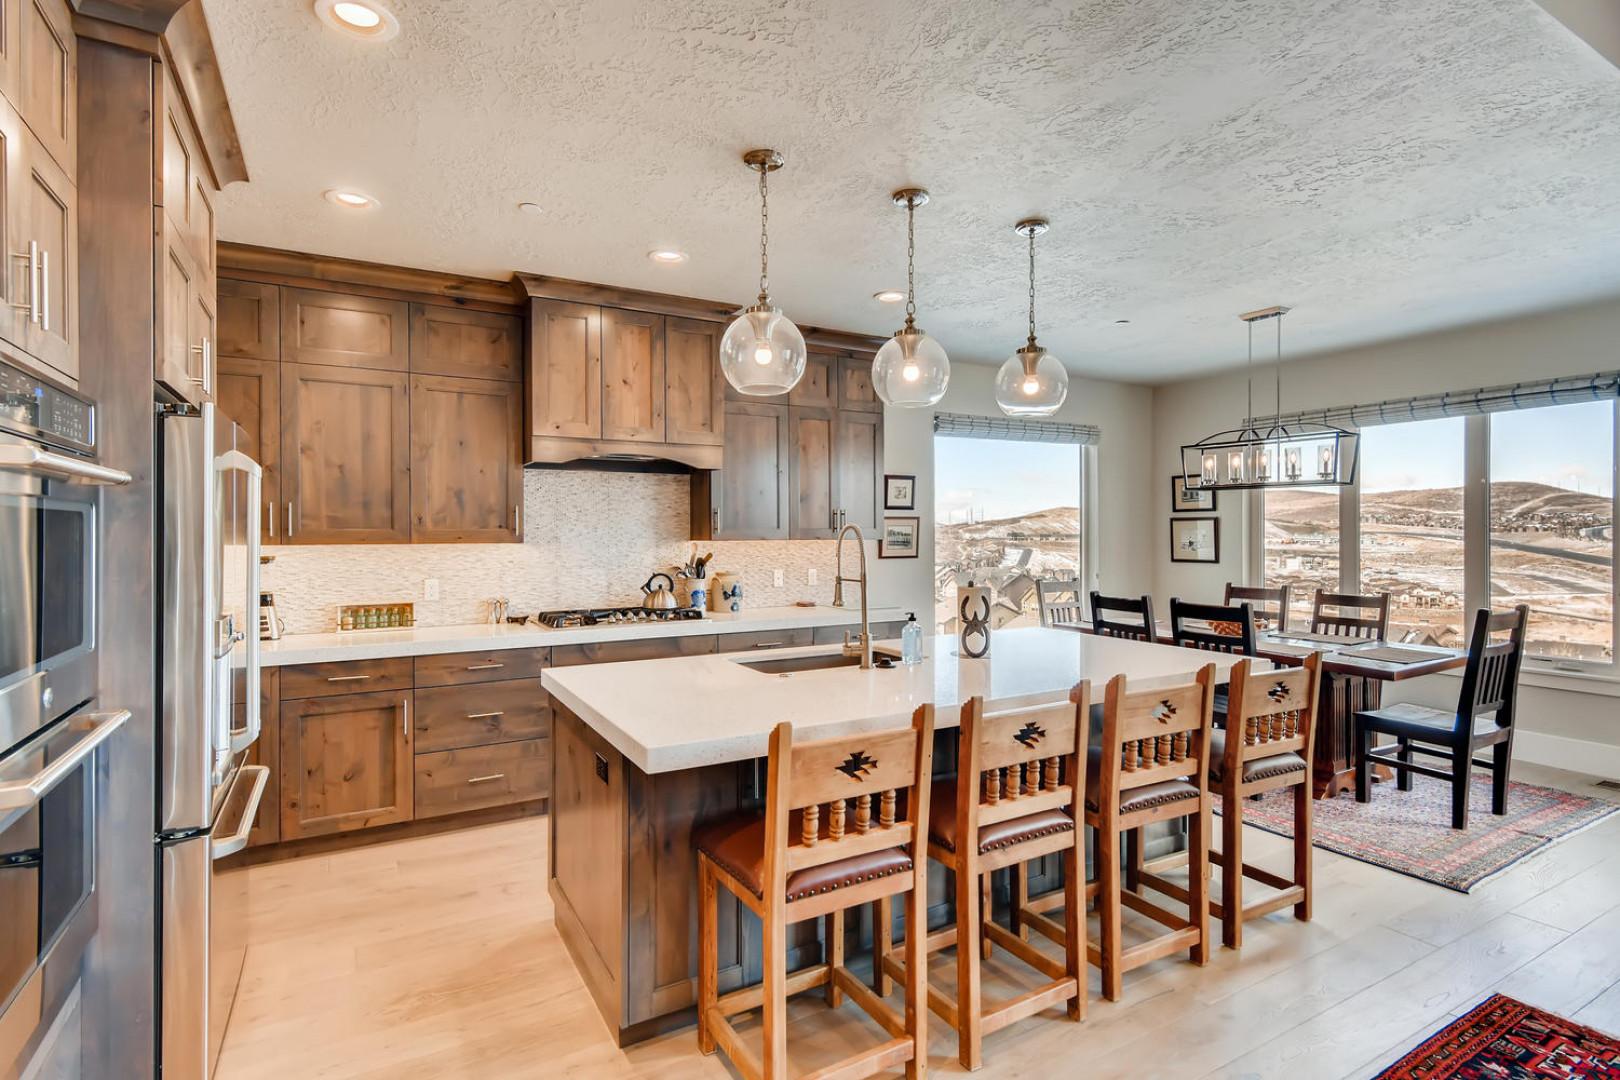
x,y
1506,1040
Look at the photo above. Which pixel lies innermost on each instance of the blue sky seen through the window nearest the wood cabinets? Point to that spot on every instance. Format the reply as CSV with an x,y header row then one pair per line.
x,y
1002,480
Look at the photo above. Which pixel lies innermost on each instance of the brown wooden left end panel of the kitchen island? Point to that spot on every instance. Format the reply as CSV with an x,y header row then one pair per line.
x,y
589,857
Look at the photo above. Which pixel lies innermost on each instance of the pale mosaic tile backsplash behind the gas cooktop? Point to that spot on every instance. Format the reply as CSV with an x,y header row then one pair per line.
x,y
589,538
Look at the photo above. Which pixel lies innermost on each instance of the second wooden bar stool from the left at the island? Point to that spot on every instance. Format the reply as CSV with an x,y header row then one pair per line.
x,y
1018,791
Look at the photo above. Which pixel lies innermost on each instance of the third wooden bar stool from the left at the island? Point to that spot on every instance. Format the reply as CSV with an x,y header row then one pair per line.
x,y
1151,768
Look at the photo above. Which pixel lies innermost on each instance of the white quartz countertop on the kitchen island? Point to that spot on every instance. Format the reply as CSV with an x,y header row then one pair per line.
x,y
694,712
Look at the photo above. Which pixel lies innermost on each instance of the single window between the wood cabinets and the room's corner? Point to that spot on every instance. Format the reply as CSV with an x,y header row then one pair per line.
x,y
1008,516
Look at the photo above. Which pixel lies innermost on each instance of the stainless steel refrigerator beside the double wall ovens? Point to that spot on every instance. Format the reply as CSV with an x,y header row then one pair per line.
x,y
207,797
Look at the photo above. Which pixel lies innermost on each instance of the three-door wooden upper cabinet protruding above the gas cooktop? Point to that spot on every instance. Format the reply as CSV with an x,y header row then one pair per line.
x,y
613,383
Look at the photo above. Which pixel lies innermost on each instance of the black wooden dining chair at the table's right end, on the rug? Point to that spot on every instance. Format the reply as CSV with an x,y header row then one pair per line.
x,y
1485,718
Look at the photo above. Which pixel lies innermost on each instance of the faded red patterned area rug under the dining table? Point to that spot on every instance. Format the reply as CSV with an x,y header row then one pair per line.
x,y
1412,831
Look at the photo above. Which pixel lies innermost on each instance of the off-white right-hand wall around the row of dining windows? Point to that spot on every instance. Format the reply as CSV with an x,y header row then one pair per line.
x,y
1579,341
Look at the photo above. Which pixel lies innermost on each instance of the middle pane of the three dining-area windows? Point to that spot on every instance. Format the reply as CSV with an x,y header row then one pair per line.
x,y
1412,527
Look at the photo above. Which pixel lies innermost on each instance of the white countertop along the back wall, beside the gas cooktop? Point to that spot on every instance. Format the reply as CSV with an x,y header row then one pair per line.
x,y
370,645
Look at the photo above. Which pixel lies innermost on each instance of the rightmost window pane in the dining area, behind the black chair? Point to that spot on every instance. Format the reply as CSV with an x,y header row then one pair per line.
x,y
1553,527
